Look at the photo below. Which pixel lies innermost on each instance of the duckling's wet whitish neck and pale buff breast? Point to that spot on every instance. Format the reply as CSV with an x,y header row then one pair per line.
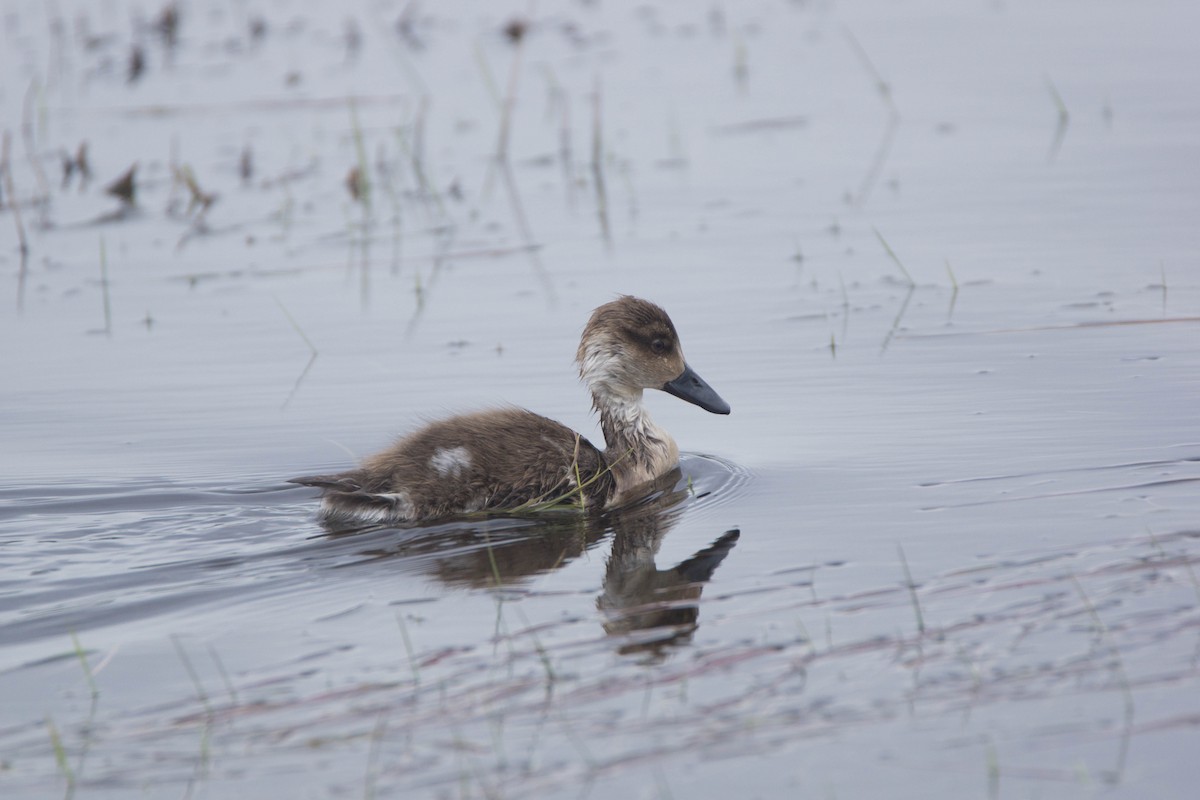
x,y
638,450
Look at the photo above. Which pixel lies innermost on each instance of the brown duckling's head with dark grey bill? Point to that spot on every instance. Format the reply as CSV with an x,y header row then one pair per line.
x,y
631,345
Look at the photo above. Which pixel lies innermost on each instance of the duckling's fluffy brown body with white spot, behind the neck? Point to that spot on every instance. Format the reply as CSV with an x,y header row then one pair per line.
x,y
491,461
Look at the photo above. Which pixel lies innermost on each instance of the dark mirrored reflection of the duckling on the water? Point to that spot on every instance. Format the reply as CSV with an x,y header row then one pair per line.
x,y
647,610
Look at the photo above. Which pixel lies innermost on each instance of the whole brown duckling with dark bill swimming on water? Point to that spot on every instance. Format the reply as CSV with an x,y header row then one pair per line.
x,y
509,460
